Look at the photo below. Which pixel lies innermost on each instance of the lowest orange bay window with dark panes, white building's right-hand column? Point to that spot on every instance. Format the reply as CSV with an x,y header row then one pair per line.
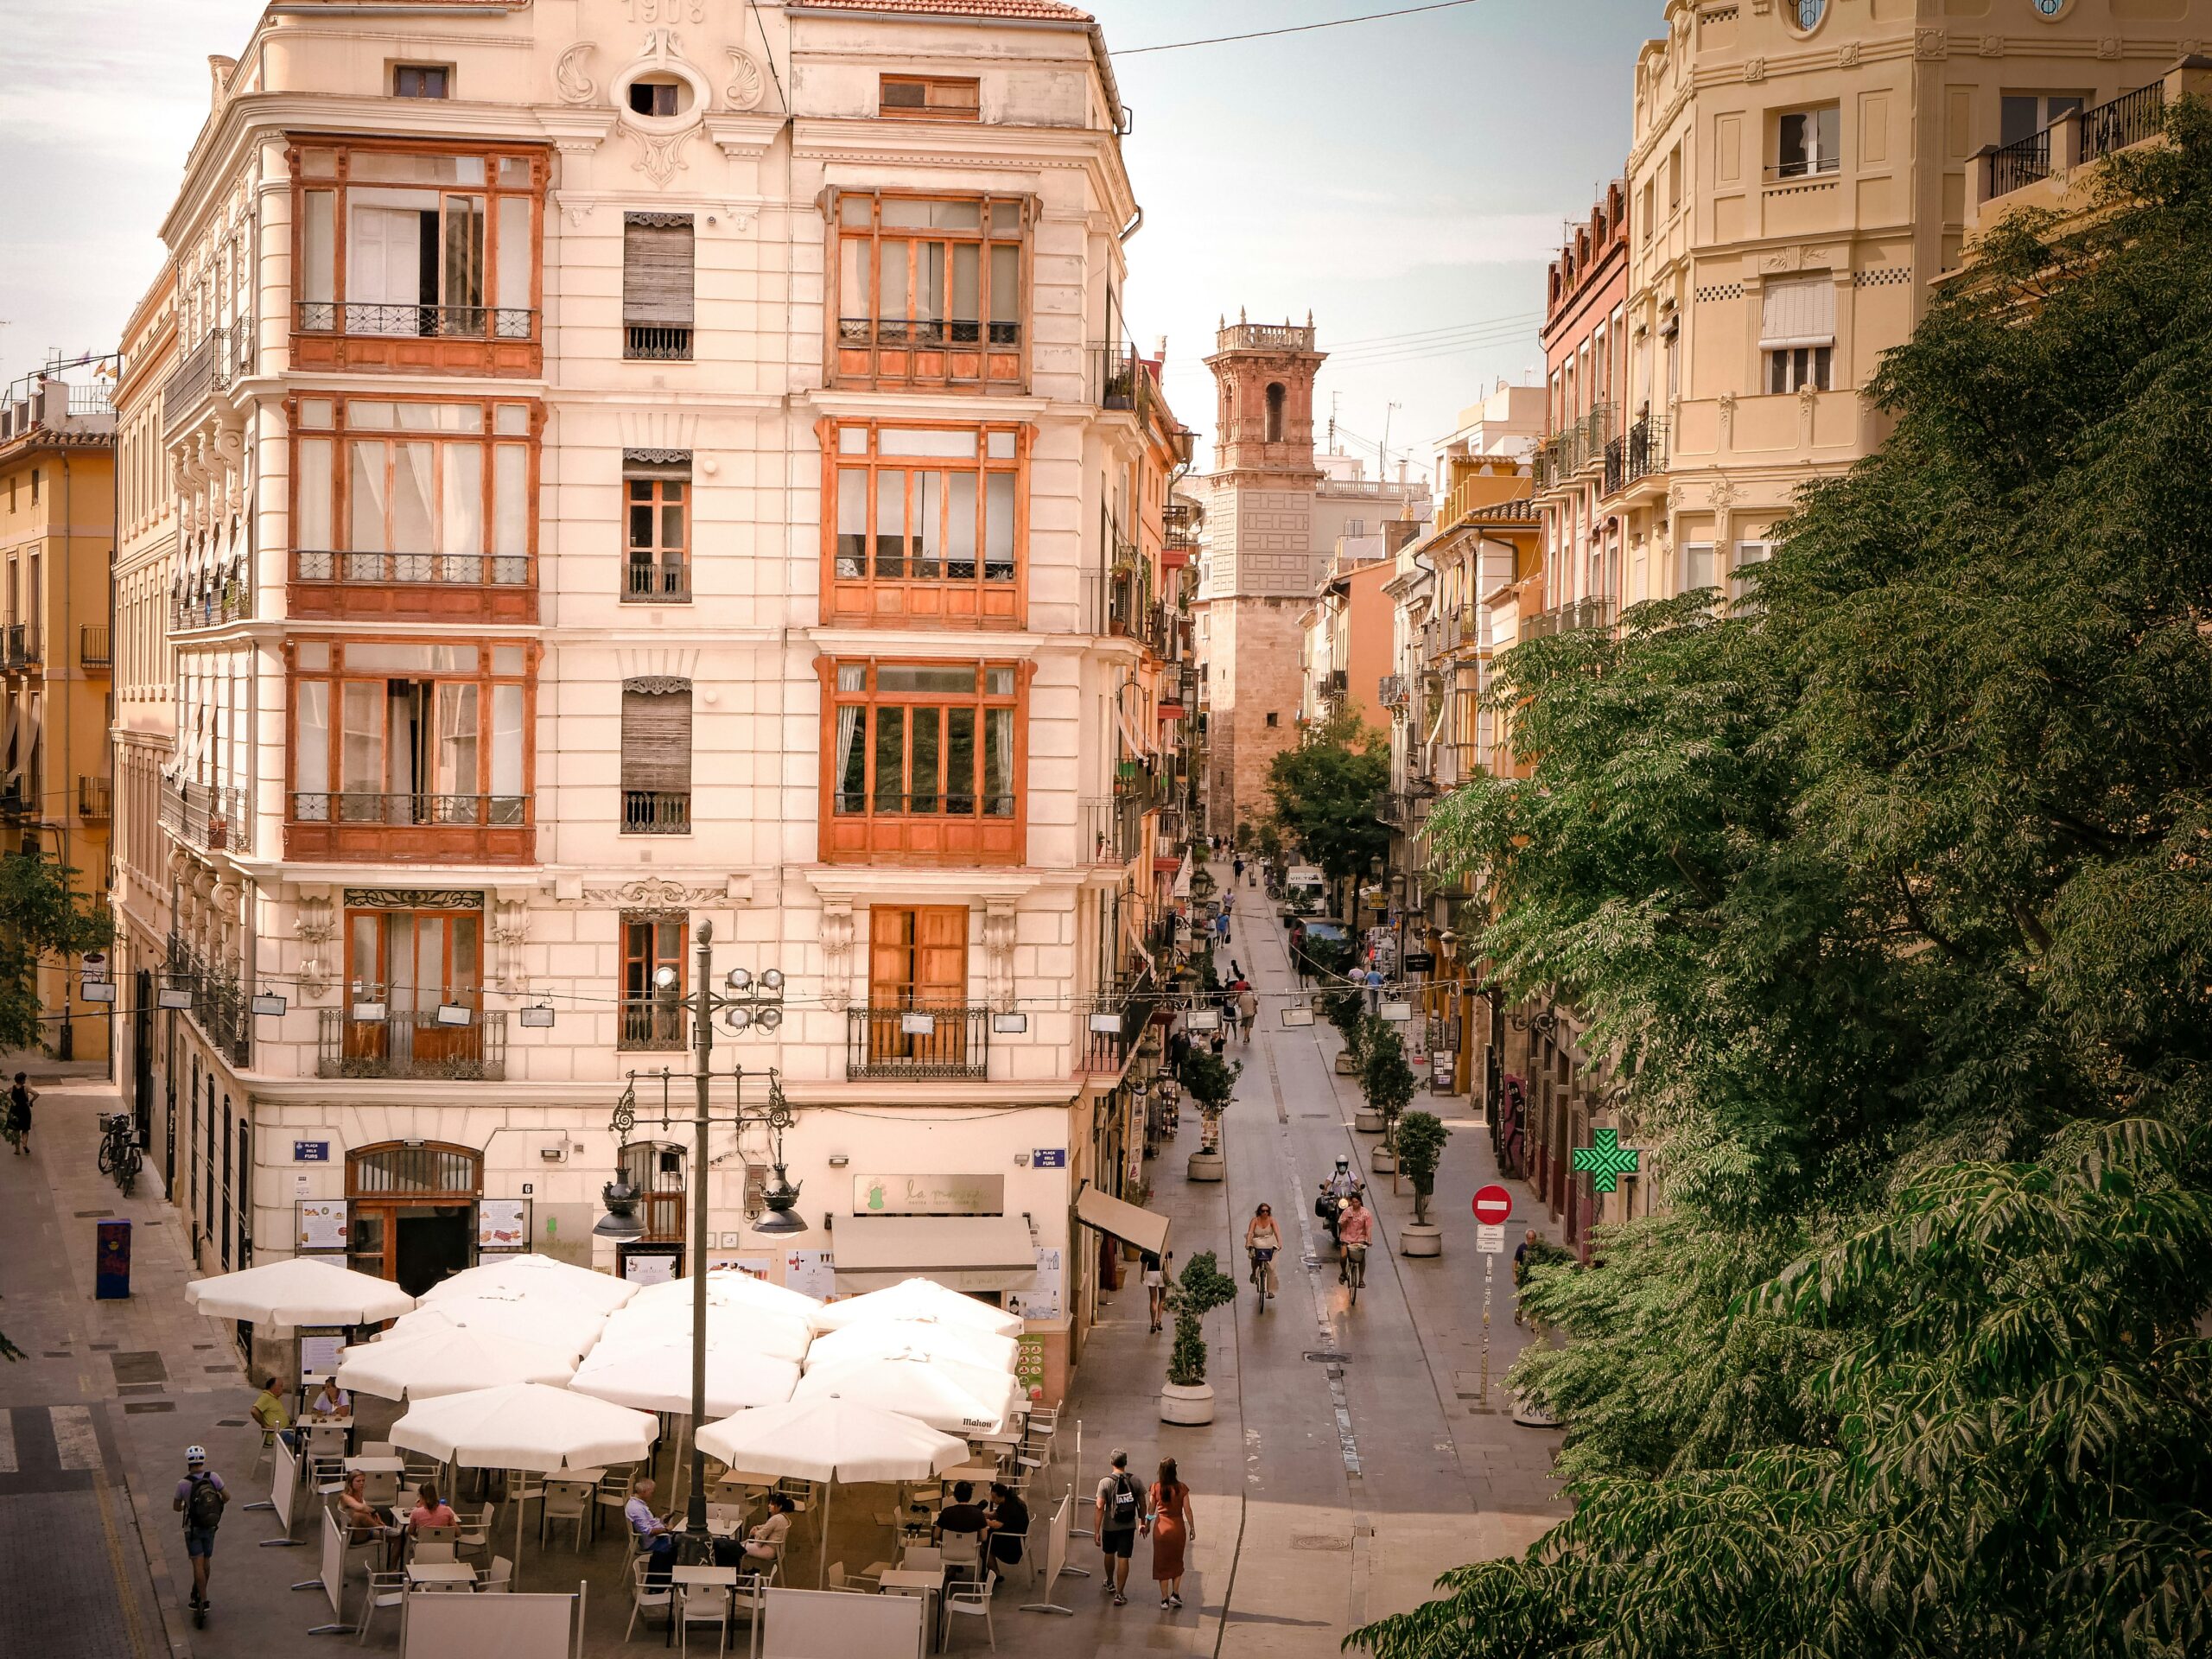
x,y
926,760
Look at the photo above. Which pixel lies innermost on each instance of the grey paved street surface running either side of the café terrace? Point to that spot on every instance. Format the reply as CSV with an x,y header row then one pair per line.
x,y
1350,1461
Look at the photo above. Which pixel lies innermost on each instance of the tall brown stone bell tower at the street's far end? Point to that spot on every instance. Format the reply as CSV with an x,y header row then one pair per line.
x,y
1264,559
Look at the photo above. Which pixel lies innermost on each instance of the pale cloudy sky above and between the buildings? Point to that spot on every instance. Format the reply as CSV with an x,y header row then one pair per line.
x,y
1406,180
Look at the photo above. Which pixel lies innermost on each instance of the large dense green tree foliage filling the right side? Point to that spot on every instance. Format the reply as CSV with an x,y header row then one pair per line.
x,y
1890,893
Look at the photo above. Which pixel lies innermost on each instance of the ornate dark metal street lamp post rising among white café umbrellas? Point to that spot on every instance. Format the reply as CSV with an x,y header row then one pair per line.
x,y
747,1003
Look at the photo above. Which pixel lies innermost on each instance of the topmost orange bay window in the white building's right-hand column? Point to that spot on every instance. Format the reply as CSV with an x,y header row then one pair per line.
x,y
930,289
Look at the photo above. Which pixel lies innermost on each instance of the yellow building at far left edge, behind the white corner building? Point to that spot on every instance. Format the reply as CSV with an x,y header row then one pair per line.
x,y
56,536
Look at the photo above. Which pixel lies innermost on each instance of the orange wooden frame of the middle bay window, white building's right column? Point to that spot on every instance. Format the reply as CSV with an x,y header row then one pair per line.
x,y
853,592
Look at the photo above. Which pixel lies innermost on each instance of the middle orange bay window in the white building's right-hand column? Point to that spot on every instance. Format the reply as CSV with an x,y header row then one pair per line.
x,y
926,525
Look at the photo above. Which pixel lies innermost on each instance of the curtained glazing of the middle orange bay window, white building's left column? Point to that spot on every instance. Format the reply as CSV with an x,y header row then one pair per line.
x,y
415,492
